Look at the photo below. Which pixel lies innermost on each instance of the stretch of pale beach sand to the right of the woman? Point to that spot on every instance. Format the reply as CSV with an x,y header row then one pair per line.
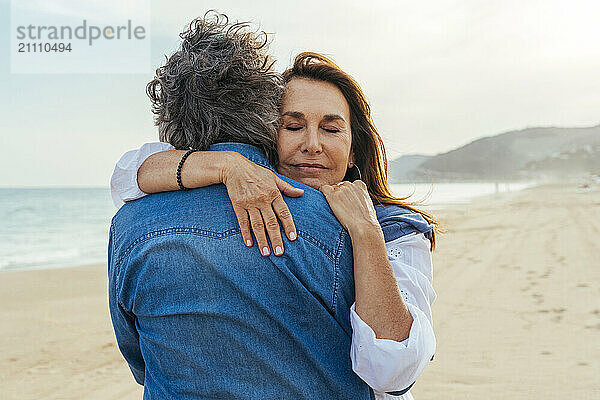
x,y
518,310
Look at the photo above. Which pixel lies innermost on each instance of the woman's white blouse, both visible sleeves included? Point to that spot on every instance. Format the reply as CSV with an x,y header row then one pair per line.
x,y
385,365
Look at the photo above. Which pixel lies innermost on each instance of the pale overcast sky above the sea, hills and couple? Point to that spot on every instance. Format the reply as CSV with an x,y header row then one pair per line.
x,y
438,74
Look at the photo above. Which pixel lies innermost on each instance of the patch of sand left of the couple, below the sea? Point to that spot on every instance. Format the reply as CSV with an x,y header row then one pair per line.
x,y
56,338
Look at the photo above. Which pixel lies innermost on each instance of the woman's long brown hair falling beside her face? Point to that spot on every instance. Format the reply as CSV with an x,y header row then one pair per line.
x,y
368,148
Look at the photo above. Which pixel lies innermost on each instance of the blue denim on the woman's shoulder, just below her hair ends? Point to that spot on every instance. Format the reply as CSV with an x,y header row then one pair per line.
x,y
397,221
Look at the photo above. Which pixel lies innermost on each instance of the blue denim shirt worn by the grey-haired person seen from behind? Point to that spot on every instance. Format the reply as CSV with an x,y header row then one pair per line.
x,y
198,315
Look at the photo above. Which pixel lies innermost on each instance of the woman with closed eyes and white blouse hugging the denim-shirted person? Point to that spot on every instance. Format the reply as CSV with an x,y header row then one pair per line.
x,y
326,138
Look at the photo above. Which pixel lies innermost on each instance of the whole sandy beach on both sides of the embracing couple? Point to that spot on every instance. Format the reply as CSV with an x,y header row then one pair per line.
x,y
517,314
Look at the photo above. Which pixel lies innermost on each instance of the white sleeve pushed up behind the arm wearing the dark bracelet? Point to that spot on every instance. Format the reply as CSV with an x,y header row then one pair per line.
x,y
123,183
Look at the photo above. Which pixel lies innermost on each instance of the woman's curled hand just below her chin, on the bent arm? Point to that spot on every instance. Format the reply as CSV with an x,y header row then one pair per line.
x,y
352,206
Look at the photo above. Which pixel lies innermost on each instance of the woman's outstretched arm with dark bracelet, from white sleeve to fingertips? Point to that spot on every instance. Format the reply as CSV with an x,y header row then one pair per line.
x,y
255,191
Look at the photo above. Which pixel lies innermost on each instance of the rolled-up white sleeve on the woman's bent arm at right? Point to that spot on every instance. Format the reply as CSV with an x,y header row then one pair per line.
x,y
387,365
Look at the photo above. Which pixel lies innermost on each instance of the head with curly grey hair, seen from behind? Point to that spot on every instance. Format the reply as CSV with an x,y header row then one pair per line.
x,y
218,87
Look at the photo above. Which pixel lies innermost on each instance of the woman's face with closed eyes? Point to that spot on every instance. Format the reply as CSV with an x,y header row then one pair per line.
x,y
314,142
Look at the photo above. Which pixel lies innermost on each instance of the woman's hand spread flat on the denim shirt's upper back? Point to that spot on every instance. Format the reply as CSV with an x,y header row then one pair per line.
x,y
255,193
